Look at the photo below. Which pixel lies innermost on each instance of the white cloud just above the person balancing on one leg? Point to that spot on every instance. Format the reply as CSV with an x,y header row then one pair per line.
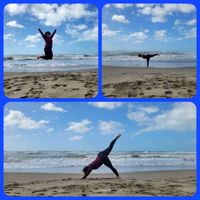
x,y
136,37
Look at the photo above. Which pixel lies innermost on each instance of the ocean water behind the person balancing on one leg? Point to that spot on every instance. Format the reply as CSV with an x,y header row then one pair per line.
x,y
164,60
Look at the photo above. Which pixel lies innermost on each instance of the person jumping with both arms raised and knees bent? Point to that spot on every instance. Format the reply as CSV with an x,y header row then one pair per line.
x,y
48,38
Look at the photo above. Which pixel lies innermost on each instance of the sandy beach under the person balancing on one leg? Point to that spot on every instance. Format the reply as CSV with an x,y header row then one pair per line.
x,y
151,82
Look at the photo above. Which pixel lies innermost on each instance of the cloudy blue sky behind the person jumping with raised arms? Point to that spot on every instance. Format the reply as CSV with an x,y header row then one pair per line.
x,y
76,26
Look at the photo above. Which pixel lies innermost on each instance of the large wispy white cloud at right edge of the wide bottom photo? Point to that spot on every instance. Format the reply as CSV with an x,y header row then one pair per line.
x,y
181,118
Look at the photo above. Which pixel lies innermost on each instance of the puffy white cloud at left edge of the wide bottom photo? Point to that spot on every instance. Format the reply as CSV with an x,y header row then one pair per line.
x,y
18,119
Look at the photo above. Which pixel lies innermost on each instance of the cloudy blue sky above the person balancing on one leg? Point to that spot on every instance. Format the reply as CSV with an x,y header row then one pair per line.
x,y
149,27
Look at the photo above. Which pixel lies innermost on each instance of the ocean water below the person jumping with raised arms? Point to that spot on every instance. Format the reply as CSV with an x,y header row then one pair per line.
x,y
29,63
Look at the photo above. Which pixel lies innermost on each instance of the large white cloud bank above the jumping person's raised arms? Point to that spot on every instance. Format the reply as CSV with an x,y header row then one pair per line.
x,y
52,14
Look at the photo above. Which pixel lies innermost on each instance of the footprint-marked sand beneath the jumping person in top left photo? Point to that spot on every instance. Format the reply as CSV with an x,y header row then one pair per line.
x,y
77,84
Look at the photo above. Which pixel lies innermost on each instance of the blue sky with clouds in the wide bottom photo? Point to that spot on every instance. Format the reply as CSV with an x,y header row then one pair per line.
x,y
91,126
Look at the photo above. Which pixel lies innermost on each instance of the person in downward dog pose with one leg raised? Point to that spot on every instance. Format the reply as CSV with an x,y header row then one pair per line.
x,y
102,158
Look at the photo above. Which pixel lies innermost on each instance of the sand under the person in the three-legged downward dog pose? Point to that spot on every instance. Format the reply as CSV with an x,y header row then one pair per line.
x,y
163,183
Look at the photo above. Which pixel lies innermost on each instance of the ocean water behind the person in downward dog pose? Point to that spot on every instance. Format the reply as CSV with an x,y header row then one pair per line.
x,y
73,162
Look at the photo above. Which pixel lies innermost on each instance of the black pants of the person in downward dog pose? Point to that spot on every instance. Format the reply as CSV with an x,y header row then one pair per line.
x,y
103,155
